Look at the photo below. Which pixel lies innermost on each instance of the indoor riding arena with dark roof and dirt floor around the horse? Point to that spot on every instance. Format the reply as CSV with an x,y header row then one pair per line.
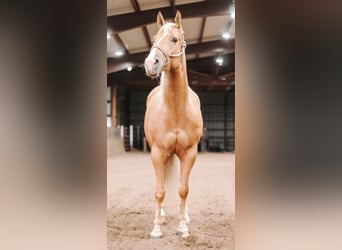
x,y
209,53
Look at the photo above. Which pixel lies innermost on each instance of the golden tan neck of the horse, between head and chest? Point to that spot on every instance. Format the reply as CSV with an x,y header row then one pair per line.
x,y
174,86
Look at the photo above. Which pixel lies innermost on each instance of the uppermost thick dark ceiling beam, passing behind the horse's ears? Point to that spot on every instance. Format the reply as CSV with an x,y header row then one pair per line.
x,y
119,23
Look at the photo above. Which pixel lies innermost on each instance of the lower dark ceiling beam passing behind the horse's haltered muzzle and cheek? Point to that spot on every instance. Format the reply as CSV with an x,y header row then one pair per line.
x,y
117,64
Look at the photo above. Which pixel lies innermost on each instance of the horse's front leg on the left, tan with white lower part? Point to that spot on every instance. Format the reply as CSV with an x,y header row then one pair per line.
x,y
159,161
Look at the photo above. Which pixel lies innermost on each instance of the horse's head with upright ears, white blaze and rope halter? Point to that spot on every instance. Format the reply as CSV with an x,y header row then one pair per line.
x,y
168,47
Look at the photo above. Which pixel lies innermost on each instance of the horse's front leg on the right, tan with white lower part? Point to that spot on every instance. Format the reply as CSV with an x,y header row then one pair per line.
x,y
187,162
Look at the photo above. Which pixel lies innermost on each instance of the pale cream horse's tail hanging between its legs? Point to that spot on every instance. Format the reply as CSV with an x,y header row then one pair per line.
x,y
172,179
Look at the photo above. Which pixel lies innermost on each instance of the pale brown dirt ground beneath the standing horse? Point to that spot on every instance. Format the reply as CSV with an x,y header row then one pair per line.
x,y
130,204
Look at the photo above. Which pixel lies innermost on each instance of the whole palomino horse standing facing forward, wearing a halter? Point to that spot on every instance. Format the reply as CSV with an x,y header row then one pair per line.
x,y
173,119
